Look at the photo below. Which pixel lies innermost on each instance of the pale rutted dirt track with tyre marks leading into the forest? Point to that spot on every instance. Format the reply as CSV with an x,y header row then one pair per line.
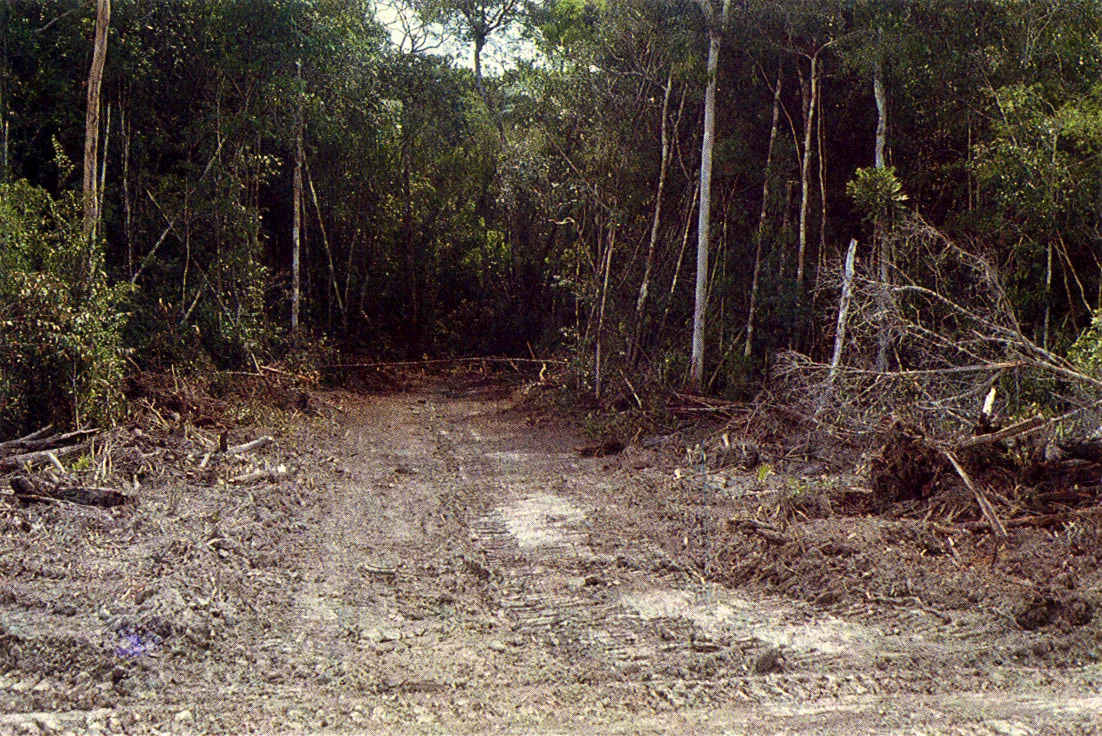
x,y
461,570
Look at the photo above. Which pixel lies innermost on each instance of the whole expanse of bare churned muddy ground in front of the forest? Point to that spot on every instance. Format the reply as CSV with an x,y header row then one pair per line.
x,y
439,558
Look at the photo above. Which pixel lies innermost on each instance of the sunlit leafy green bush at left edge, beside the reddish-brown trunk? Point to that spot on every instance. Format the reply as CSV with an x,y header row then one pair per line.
x,y
61,351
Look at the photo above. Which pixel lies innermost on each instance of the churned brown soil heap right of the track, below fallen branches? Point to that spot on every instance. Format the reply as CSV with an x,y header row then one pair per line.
x,y
907,534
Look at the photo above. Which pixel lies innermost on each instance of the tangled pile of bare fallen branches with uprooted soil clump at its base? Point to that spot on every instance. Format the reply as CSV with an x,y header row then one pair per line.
x,y
933,373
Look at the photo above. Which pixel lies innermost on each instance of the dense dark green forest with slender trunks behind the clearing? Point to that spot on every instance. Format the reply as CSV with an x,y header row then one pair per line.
x,y
662,193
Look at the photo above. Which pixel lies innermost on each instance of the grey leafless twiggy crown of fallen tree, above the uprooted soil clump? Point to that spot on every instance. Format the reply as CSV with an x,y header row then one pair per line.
x,y
955,334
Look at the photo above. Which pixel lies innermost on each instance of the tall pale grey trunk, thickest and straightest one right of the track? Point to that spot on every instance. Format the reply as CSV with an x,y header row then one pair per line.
x,y
704,222
